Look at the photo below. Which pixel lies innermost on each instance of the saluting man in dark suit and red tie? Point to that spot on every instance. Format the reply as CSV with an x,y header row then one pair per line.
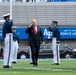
x,y
34,40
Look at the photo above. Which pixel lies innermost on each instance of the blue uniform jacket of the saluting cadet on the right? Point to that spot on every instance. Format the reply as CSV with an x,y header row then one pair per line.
x,y
56,32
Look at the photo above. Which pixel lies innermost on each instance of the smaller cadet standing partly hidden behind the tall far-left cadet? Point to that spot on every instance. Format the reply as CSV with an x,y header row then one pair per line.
x,y
15,44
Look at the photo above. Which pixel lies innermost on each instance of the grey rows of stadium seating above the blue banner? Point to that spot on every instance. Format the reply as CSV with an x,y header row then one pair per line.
x,y
23,13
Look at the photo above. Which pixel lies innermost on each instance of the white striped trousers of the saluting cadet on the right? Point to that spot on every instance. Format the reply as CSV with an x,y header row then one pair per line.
x,y
55,48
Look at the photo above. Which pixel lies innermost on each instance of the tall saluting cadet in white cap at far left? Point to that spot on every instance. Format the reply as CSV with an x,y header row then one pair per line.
x,y
7,35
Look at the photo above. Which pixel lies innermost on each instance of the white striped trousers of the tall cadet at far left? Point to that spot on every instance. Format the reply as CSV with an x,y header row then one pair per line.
x,y
8,49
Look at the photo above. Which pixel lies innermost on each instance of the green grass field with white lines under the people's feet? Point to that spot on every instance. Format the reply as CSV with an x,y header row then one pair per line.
x,y
45,67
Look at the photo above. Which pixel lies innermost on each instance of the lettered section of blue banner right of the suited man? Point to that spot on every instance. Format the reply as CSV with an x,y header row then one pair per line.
x,y
65,33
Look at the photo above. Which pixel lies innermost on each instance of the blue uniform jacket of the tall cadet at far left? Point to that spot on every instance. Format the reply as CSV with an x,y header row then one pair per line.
x,y
7,28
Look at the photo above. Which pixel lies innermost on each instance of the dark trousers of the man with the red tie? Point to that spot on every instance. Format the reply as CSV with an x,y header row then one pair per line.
x,y
35,54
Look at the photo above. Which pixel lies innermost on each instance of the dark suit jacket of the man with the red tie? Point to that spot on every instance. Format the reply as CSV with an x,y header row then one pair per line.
x,y
34,39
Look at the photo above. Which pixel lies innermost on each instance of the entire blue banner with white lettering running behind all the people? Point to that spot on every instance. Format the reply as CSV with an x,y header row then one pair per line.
x,y
66,33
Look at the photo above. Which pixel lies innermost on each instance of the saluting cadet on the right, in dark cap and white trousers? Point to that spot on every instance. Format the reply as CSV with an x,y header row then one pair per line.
x,y
55,41
